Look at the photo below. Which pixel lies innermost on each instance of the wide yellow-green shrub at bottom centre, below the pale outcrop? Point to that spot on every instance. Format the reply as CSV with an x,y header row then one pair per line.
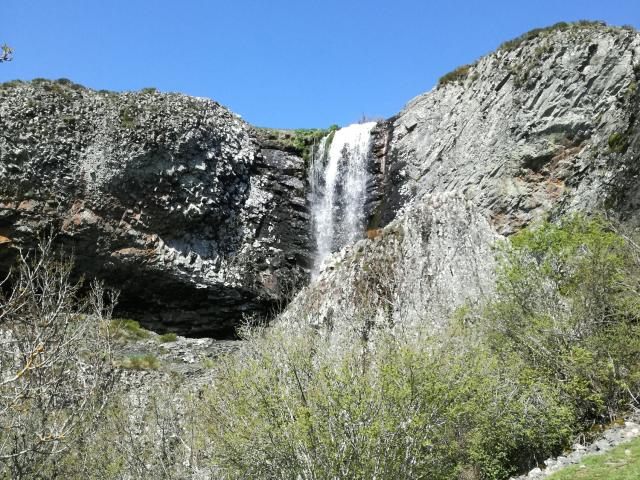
x,y
391,408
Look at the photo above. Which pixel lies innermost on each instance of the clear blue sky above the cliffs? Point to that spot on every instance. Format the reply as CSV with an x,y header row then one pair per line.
x,y
288,64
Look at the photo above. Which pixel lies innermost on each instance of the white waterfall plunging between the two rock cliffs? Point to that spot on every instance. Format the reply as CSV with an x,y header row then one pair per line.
x,y
338,179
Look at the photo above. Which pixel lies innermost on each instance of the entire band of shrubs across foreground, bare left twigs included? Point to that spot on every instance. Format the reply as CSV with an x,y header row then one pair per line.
x,y
499,388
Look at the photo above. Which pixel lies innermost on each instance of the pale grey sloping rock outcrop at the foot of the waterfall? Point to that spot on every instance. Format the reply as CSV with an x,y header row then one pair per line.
x,y
414,272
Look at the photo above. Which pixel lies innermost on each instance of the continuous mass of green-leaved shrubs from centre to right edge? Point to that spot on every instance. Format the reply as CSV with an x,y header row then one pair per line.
x,y
506,385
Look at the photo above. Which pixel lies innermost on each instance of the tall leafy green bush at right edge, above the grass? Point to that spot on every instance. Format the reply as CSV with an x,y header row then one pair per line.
x,y
568,307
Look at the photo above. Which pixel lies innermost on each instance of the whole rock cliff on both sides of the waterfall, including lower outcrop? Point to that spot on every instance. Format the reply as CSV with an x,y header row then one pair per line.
x,y
198,219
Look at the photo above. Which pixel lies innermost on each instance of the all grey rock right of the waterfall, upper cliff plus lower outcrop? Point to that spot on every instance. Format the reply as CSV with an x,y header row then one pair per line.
x,y
548,124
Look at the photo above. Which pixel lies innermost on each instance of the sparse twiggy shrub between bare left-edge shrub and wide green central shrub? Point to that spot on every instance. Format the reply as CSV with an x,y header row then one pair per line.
x,y
144,433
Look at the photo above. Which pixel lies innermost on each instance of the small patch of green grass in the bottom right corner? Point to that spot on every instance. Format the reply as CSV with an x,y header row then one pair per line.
x,y
620,463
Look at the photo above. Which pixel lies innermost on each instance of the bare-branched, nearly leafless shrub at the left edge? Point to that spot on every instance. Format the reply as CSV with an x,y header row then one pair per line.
x,y
55,363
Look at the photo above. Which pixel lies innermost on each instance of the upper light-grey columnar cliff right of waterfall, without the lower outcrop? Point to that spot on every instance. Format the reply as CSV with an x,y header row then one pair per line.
x,y
545,125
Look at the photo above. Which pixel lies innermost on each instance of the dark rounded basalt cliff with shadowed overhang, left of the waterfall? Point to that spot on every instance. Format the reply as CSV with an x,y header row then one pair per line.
x,y
167,197
